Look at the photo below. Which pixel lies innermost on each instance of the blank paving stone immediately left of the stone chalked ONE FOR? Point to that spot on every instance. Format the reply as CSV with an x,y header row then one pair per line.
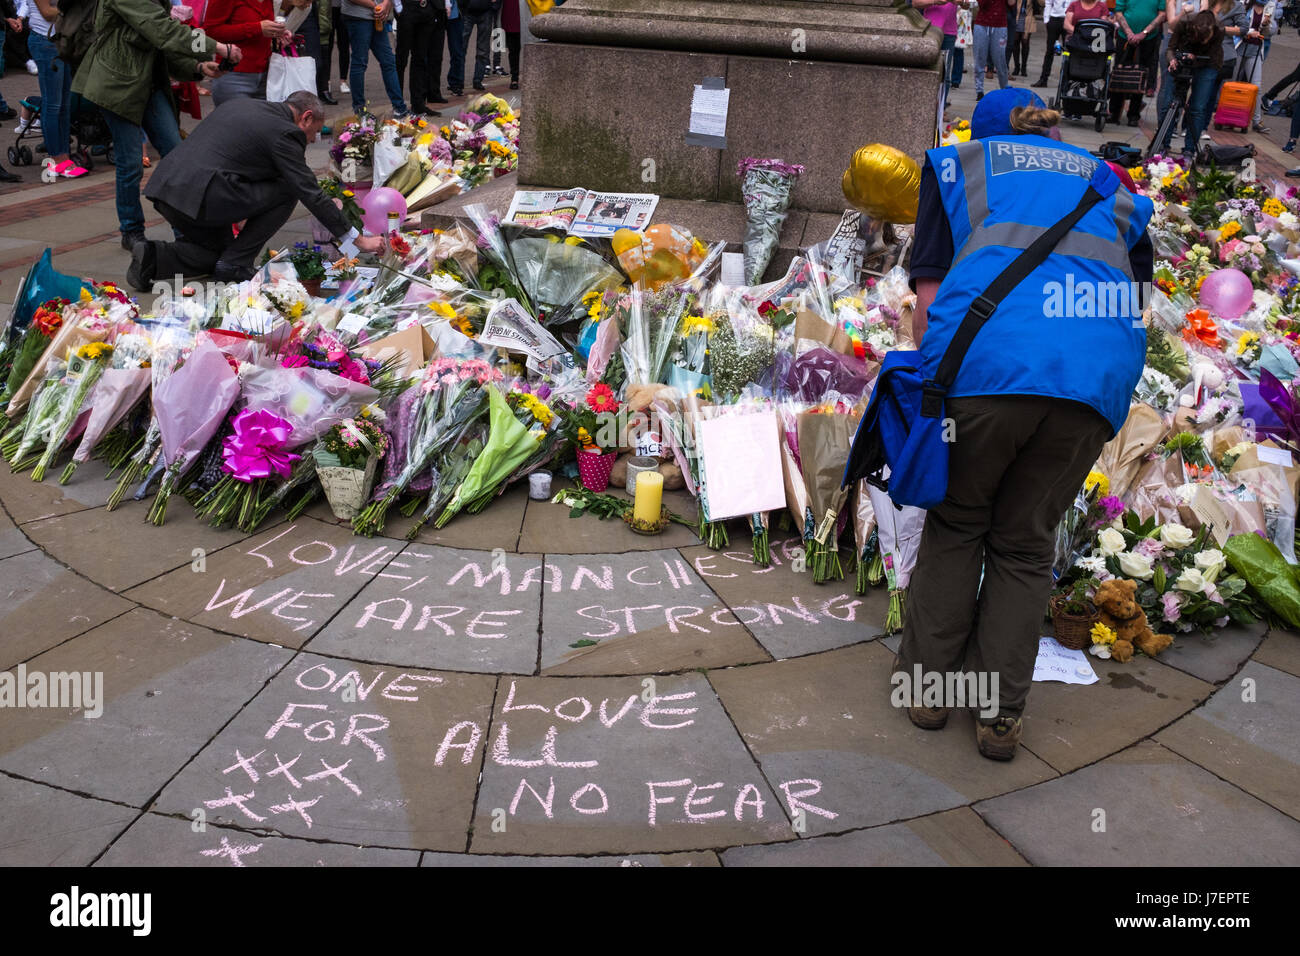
x,y
167,687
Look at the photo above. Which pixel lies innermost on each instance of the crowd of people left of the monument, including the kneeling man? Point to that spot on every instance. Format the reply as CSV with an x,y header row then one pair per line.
x,y
136,62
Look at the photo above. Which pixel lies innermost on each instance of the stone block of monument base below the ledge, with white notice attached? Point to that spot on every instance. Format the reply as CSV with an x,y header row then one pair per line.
x,y
616,119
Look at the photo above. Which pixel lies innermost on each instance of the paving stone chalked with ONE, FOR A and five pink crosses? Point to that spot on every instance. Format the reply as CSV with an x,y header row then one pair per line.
x,y
380,730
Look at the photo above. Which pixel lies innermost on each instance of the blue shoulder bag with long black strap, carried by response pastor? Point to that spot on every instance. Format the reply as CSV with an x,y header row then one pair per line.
x,y
902,447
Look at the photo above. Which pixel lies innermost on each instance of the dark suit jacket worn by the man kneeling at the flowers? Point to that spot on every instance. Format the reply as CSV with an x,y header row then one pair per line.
x,y
245,158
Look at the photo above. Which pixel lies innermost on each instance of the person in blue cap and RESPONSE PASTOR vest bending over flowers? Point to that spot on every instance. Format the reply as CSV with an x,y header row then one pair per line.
x,y
1046,383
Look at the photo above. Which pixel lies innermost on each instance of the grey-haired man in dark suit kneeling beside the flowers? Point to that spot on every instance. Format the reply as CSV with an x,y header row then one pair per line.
x,y
245,162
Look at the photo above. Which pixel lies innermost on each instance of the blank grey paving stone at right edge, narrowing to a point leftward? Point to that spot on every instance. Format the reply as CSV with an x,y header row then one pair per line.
x,y
1251,743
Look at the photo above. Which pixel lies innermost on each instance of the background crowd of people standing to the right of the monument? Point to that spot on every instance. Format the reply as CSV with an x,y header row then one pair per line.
x,y
1230,42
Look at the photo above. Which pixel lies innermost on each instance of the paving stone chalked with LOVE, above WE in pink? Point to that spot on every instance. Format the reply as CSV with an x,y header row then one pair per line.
x,y
280,586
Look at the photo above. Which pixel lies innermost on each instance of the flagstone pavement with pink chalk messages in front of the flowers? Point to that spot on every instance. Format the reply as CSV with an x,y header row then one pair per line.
x,y
523,689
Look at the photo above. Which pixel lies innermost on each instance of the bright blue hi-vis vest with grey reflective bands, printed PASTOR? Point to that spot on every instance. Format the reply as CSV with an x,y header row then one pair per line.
x,y
1073,328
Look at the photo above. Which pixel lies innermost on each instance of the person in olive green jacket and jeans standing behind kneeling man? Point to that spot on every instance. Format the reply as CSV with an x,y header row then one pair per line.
x,y
128,72
